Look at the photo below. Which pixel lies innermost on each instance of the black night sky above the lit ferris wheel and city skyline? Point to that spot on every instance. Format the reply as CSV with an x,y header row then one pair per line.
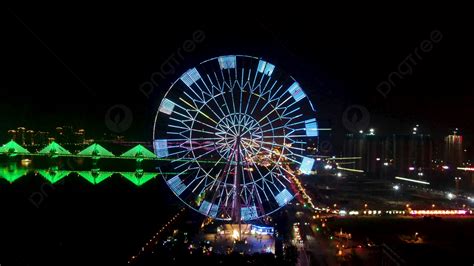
x,y
70,67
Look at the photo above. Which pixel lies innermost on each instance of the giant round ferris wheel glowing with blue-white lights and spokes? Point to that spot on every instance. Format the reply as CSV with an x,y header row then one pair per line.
x,y
236,130
